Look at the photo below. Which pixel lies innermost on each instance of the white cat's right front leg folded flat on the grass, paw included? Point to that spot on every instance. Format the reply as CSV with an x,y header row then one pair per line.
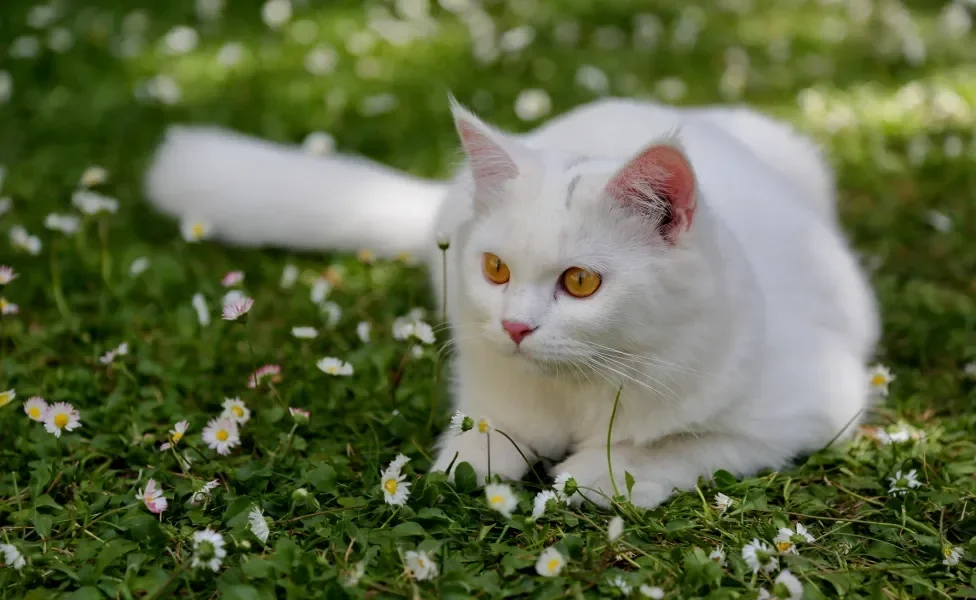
x,y
664,468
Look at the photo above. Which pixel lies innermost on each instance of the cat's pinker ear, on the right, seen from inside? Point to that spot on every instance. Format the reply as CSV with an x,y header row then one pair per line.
x,y
659,183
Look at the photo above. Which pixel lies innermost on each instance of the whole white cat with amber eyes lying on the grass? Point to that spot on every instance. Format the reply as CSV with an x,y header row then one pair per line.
x,y
690,255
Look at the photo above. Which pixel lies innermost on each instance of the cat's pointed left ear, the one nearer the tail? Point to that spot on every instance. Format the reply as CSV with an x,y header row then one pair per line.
x,y
492,156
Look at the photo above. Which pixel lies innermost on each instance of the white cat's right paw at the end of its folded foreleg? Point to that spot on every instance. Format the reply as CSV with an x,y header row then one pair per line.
x,y
589,470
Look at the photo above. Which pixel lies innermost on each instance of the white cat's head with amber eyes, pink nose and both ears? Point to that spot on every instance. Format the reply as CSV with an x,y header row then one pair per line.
x,y
573,259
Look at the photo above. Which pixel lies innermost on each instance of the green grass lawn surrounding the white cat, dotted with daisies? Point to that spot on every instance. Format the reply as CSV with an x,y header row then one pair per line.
x,y
69,504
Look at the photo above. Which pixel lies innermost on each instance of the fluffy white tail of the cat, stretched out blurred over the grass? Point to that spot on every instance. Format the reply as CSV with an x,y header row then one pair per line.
x,y
257,193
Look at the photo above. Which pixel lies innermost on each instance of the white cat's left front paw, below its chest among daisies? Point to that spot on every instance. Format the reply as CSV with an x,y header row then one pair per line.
x,y
473,447
